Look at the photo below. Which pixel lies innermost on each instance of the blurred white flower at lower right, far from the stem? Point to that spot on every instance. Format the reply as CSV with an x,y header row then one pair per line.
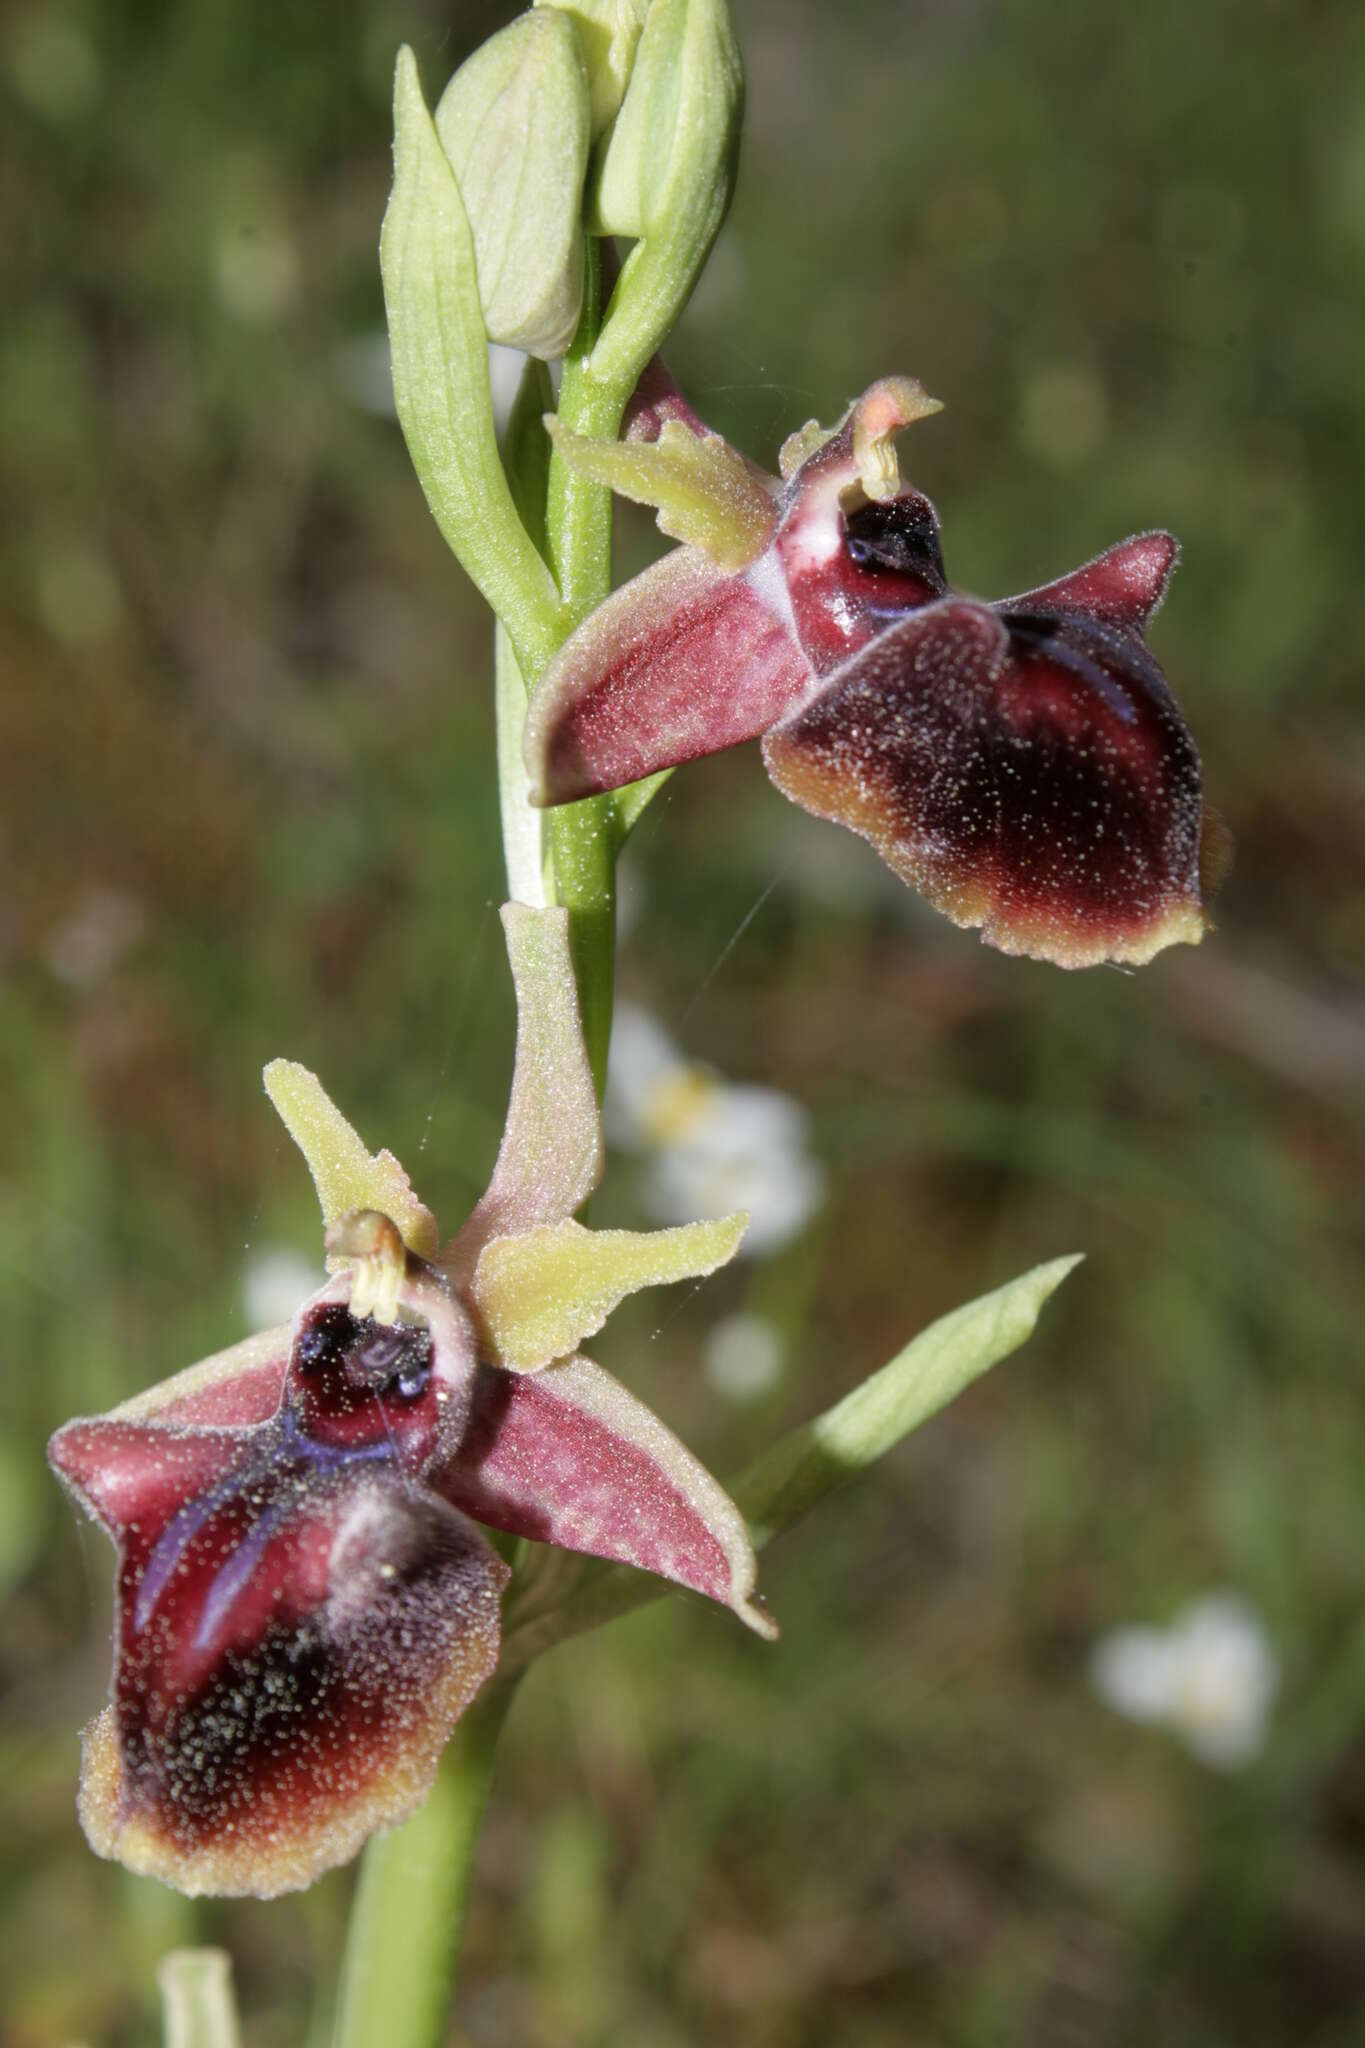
x,y
1210,1678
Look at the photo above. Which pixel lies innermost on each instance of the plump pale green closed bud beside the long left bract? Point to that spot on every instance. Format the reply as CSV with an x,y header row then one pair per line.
x,y
515,124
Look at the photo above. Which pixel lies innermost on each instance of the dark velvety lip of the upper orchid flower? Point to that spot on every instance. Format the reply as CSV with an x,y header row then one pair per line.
x,y
1032,777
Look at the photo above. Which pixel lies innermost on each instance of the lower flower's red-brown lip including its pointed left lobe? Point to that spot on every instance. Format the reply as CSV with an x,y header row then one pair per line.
x,y
300,1625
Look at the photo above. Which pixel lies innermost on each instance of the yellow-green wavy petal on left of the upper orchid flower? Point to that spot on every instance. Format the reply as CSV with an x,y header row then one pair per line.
x,y
701,486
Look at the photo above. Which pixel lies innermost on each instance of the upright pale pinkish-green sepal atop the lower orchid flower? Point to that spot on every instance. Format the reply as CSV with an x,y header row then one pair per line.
x,y
552,1154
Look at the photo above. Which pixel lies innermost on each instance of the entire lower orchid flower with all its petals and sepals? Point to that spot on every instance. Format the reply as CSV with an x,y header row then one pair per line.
x,y
304,1601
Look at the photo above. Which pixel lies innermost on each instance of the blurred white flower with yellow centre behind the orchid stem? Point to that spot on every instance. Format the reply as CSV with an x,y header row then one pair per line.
x,y
711,1146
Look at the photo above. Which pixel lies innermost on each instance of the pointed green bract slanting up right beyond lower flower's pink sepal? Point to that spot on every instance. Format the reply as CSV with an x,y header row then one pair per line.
x,y
869,1422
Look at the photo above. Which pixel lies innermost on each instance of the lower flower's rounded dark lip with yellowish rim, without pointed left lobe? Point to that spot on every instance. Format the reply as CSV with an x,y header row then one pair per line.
x,y
296,1684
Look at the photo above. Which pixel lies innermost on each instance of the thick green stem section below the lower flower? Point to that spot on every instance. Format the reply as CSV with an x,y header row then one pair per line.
x,y
408,1916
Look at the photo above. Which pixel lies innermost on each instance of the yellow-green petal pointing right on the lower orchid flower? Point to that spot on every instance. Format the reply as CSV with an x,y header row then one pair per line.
x,y
541,1293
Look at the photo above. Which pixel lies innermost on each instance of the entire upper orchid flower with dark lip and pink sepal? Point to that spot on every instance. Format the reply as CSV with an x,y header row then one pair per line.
x,y
1022,763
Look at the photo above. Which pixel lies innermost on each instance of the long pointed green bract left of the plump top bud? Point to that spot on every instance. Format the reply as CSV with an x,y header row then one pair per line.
x,y
441,378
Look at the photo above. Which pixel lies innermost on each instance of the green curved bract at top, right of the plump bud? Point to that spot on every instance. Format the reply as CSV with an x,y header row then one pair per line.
x,y
668,175
